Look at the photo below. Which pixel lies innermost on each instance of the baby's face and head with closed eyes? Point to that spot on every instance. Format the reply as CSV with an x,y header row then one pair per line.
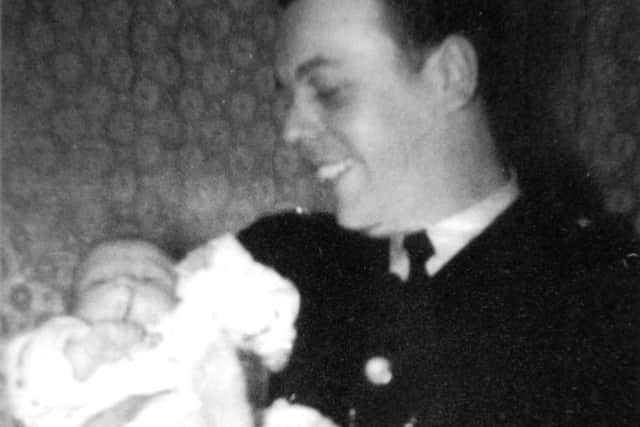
x,y
128,280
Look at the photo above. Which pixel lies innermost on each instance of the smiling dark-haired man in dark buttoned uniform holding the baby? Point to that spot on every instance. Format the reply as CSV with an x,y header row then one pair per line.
x,y
517,311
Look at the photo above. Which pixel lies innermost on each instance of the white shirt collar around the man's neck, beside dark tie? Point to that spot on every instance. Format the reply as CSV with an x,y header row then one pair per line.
x,y
451,234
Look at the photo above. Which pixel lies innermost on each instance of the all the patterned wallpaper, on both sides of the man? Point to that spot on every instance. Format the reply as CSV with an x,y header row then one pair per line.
x,y
158,117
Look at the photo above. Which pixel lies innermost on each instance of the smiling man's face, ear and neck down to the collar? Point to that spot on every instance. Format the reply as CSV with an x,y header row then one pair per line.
x,y
381,127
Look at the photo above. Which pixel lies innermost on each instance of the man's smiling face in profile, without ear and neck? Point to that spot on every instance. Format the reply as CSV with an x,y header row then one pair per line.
x,y
358,112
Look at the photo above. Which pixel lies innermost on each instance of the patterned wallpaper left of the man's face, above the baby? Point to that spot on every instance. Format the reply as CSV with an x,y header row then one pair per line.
x,y
149,117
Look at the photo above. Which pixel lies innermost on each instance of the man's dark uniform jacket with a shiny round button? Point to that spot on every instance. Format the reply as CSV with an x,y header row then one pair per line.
x,y
531,324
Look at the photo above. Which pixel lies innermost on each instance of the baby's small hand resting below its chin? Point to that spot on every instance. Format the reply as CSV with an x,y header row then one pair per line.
x,y
107,342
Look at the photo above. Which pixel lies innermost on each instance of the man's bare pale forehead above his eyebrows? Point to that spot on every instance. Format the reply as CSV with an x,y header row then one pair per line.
x,y
332,30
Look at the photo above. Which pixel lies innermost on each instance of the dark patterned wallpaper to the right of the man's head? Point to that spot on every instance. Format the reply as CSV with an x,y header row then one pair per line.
x,y
592,95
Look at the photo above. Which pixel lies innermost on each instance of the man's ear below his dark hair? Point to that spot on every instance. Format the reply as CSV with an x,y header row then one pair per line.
x,y
453,70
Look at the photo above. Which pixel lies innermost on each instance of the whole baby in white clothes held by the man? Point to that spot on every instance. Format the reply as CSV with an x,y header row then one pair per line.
x,y
127,357
